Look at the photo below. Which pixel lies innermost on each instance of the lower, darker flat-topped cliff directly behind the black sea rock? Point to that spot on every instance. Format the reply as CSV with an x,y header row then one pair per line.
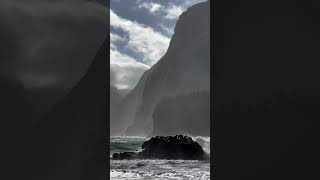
x,y
189,113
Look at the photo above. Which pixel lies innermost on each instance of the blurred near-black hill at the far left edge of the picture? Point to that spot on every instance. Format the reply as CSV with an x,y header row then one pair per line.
x,y
15,115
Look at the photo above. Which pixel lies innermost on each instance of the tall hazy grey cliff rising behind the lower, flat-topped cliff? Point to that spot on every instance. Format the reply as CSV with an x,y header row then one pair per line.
x,y
185,68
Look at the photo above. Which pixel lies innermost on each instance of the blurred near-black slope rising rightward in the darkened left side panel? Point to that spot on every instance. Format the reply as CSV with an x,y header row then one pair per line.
x,y
70,142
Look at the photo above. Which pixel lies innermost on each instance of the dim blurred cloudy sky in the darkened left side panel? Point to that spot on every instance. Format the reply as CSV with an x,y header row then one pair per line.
x,y
50,42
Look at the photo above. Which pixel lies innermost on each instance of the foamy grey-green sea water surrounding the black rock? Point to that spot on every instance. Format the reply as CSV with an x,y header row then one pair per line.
x,y
156,169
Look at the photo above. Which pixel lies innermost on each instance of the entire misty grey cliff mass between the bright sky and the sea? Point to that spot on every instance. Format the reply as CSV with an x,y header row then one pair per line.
x,y
180,76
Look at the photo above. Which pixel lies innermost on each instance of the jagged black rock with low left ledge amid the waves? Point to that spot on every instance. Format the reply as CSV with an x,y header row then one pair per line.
x,y
166,147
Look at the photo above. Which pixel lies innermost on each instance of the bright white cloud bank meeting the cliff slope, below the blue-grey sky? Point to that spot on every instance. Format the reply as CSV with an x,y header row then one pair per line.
x,y
141,41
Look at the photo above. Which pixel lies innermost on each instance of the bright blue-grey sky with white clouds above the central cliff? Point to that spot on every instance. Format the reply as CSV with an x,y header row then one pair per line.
x,y
140,34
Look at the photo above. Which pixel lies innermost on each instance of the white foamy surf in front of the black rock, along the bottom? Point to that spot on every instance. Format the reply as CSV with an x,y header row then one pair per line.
x,y
160,169
